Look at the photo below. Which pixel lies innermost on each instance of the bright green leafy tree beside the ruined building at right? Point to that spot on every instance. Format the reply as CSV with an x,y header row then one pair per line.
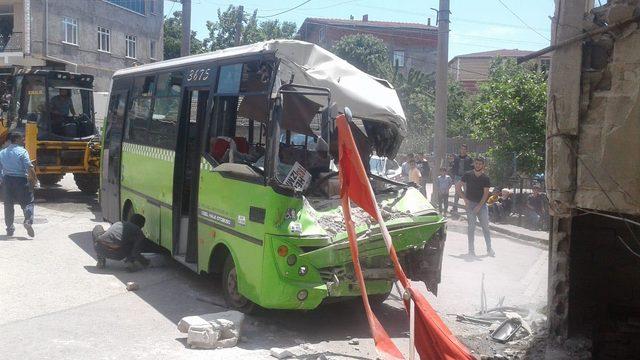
x,y
510,110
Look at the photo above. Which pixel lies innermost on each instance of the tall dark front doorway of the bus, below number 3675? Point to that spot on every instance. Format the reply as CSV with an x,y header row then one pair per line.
x,y
187,173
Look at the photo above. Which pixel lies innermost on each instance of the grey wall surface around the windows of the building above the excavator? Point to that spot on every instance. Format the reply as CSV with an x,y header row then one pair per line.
x,y
91,14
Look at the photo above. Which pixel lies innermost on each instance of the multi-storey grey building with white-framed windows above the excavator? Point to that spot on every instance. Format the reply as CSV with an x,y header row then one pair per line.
x,y
96,37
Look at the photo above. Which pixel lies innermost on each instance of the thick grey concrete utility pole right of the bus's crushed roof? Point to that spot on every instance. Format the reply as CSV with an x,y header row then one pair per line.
x,y
440,131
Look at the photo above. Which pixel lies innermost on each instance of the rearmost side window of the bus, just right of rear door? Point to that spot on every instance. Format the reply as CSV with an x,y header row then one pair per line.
x,y
140,110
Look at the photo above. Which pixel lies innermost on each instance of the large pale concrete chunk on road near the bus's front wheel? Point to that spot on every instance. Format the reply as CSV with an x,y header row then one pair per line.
x,y
211,331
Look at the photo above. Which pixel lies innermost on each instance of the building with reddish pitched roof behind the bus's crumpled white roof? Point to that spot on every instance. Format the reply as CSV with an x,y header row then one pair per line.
x,y
410,45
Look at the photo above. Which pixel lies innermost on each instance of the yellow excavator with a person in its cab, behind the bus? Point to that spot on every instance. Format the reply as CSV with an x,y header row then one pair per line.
x,y
55,112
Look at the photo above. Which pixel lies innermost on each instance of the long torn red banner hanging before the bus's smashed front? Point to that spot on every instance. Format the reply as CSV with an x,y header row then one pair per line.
x,y
433,339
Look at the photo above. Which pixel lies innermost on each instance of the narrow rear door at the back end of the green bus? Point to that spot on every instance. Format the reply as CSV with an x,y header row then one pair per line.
x,y
111,154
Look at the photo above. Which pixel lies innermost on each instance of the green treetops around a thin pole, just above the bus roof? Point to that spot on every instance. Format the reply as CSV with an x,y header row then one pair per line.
x,y
222,32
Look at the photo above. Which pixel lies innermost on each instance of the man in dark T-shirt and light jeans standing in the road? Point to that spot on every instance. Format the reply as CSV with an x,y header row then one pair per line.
x,y
475,194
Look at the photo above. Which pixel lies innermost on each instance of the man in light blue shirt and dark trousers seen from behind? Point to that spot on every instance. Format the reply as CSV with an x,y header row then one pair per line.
x,y
19,178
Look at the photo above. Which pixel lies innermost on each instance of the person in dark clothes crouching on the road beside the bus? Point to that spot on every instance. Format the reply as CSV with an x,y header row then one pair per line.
x,y
123,240
